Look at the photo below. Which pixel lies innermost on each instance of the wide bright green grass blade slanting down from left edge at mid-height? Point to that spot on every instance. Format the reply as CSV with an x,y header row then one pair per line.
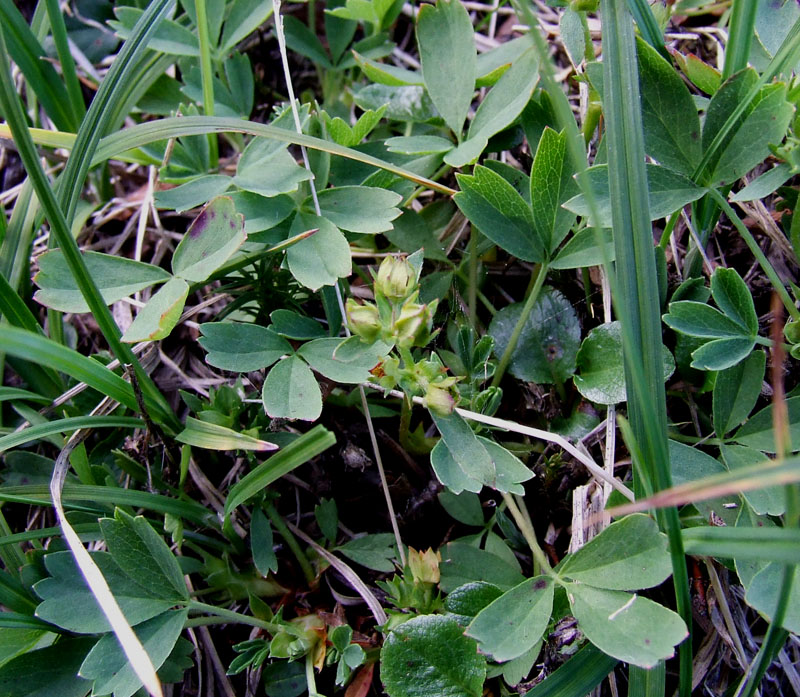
x,y
34,347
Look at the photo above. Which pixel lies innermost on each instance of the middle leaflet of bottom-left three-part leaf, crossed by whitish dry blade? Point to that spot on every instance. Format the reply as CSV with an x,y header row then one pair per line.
x,y
68,603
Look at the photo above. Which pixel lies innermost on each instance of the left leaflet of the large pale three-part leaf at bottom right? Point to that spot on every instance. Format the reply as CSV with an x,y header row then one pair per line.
x,y
515,622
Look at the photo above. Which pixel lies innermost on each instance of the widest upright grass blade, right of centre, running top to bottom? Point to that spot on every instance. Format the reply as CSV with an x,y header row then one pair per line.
x,y
637,286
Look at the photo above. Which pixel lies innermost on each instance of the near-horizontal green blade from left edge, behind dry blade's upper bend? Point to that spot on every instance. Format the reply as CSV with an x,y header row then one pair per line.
x,y
39,495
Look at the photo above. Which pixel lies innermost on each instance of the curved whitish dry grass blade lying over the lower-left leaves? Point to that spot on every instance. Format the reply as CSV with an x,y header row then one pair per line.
x,y
132,647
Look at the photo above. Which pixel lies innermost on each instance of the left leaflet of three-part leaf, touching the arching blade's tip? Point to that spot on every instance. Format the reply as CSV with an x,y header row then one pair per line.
x,y
500,213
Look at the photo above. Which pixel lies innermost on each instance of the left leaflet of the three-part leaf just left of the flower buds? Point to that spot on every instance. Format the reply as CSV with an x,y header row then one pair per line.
x,y
241,348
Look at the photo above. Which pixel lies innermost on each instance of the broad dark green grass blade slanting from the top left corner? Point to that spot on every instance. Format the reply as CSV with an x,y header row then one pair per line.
x,y
30,57
